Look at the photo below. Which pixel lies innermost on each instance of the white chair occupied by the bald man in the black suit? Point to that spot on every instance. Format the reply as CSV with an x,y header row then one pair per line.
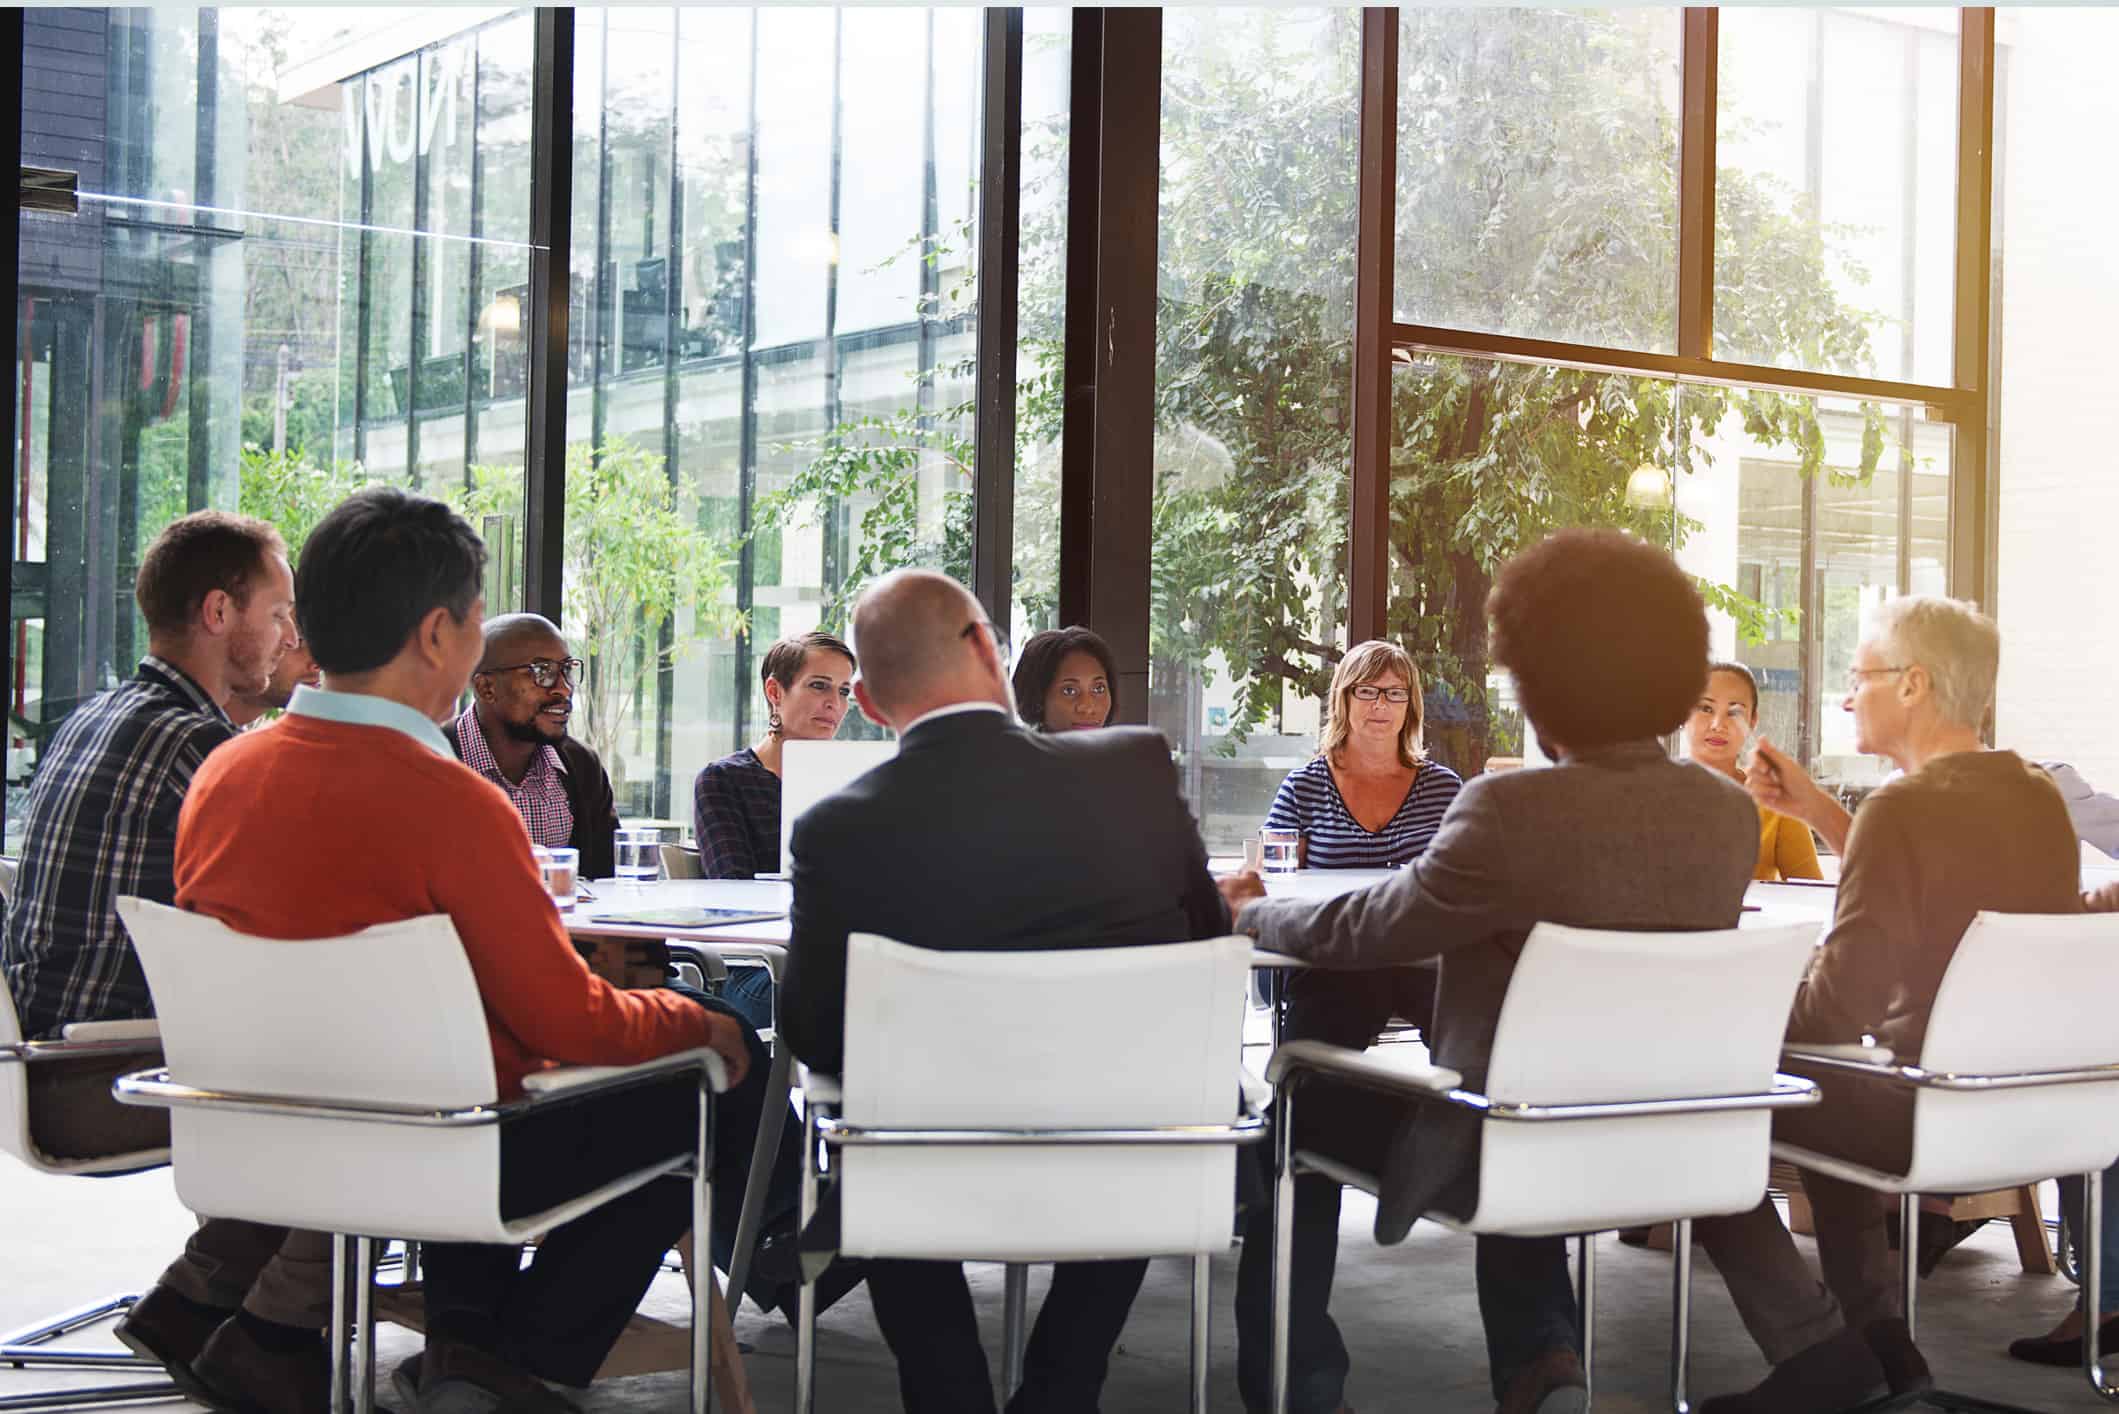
x,y
986,1093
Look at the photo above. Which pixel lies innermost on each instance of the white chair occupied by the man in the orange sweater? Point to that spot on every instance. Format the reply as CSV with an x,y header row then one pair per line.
x,y
349,1086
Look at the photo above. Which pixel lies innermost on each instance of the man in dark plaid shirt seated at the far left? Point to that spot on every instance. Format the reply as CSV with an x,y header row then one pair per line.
x,y
219,603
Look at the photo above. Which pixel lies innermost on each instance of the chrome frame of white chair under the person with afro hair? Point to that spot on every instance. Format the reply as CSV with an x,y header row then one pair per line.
x,y
1315,1059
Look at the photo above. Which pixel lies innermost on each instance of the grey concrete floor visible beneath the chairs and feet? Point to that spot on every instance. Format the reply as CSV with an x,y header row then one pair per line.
x,y
1408,1315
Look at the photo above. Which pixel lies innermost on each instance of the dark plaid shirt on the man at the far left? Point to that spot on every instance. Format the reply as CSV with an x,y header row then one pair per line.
x,y
103,824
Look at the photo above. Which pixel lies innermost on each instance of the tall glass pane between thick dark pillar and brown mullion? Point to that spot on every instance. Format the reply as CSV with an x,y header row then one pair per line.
x,y
1253,438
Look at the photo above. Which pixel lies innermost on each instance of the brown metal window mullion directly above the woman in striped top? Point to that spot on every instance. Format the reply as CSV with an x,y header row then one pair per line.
x,y
1368,605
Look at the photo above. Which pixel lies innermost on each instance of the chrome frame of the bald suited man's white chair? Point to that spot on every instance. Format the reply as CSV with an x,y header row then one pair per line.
x,y
825,1133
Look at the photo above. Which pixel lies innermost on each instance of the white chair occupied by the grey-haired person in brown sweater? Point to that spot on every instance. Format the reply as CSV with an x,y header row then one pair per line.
x,y
2018,1082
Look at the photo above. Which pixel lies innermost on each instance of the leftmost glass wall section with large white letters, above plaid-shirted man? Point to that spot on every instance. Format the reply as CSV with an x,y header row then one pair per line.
x,y
264,302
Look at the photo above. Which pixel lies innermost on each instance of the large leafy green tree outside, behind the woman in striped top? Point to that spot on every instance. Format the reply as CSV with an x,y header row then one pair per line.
x,y
1537,194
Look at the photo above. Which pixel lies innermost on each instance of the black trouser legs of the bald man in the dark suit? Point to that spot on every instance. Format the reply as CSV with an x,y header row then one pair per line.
x,y
927,1318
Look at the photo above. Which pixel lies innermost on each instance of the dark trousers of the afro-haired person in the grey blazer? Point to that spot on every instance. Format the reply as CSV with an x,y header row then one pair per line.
x,y
1525,1292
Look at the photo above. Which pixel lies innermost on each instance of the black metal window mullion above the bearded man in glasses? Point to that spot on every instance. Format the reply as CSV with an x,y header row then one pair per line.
x,y
552,198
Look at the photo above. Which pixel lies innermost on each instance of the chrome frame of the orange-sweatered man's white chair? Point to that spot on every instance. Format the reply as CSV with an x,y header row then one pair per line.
x,y
353,1258
